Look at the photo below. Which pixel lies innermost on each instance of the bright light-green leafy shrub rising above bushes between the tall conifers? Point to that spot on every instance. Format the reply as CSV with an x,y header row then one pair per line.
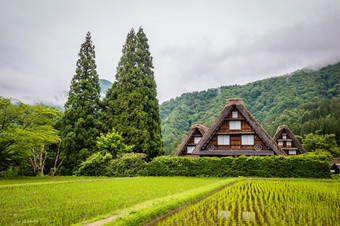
x,y
112,143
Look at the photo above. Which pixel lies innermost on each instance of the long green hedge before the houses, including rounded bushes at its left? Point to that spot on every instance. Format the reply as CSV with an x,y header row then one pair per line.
x,y
133,164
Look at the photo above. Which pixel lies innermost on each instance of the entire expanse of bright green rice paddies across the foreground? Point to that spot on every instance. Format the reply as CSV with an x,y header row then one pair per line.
x,y
81,200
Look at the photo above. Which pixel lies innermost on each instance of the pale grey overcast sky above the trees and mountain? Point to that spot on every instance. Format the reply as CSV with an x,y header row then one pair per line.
x,y
195,44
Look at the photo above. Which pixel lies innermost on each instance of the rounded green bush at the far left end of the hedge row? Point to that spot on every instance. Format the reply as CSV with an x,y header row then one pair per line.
x,y
95,165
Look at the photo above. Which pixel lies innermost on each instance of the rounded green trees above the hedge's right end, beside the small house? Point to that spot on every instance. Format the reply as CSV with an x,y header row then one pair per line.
x,y
315,142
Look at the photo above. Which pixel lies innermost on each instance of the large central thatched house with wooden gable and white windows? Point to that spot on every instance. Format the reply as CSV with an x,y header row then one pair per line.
x,y
236,132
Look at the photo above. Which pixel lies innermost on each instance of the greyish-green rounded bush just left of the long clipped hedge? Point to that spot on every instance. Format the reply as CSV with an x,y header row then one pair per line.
x,y
127,165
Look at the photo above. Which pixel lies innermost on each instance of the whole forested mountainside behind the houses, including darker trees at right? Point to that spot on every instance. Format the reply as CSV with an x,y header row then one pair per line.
x,y
306,100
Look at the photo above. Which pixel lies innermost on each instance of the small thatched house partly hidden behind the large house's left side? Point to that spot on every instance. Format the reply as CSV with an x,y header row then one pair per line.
x,y
191,140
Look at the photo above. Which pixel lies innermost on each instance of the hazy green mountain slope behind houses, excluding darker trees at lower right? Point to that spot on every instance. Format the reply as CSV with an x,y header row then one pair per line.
x,y
266,100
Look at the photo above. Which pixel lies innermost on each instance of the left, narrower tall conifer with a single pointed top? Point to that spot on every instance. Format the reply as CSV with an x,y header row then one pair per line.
x,y
80,122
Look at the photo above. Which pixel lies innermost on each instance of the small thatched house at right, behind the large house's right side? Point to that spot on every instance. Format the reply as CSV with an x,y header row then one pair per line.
x,y
287,141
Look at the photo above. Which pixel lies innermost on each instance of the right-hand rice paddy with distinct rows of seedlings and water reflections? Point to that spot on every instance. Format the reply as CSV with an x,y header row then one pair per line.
x,y
264,202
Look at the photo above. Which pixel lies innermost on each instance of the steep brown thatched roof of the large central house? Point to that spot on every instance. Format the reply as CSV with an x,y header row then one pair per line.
x,y
239,105
